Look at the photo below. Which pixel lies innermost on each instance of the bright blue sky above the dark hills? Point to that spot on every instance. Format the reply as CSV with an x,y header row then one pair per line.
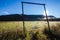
x,y
14,7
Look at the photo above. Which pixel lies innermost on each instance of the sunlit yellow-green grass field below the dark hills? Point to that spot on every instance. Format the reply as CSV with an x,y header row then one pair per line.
x,y
34,30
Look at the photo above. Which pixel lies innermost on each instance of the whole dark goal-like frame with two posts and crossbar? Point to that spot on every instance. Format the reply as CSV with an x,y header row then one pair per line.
x,y
34,4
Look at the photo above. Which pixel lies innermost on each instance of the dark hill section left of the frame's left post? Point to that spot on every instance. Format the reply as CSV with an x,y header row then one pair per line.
x,y
12,17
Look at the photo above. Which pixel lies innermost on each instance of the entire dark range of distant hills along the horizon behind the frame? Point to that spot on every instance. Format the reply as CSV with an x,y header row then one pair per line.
x,y
17,17
